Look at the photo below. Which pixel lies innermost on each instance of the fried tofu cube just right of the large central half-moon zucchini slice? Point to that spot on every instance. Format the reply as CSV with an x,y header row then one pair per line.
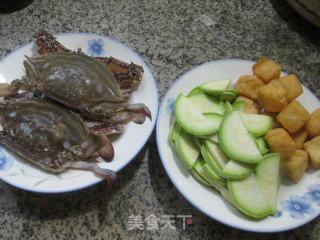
x,y
280,141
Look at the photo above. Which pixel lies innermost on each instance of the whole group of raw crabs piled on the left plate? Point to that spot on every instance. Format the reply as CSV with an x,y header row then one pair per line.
x,y
45,123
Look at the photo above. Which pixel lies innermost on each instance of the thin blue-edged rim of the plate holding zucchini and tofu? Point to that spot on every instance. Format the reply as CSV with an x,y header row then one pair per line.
x,y
194,203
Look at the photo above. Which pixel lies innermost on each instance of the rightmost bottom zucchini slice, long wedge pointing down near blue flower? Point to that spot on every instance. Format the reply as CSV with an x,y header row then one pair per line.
x,y
267,175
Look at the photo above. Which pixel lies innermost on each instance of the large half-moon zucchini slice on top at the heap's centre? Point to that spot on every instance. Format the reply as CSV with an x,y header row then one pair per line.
x,y
236,141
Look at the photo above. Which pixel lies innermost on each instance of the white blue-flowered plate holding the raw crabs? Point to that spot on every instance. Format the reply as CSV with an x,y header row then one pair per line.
x,y
19,173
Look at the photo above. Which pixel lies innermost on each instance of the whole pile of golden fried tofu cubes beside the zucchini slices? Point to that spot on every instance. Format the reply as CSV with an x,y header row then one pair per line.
x,y
296,132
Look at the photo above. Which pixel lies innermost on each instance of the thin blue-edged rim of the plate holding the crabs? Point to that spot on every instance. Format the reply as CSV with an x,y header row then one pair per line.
x,y
153,124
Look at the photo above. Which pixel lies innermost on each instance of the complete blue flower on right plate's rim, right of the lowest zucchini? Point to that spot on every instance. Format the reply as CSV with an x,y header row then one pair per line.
x,y
297,206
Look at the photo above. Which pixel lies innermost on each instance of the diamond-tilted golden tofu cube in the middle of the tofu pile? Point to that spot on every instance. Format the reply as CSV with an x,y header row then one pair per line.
x,y
293,117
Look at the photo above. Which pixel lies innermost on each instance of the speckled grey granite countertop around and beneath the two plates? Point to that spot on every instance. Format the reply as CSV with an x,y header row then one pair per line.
x,y
172,37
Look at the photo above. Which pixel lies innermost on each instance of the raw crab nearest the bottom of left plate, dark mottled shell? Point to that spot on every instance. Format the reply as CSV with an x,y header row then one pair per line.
x,y
52,137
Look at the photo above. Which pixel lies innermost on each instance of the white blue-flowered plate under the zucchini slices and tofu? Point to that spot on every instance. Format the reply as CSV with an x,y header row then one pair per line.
x,y
294,208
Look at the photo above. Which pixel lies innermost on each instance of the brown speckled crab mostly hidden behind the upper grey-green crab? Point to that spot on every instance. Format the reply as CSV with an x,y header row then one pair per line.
x,y
127,75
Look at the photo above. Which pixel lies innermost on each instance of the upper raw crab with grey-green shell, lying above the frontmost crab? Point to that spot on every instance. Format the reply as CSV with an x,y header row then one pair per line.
x,y
80,83
